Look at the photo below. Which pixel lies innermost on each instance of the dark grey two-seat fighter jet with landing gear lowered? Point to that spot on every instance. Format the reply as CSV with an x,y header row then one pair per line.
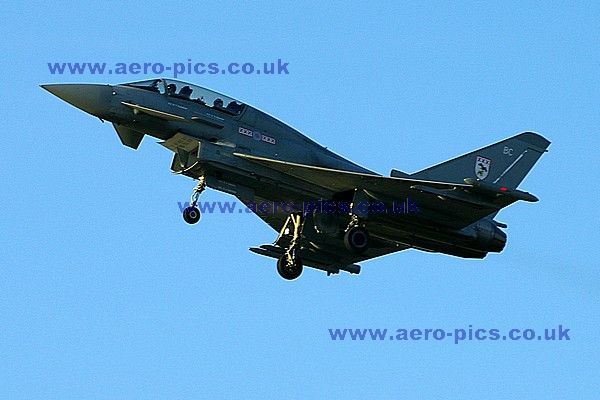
x,y
330,212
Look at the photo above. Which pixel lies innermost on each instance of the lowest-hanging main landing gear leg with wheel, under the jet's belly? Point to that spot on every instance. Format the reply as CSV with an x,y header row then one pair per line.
x,y
289,264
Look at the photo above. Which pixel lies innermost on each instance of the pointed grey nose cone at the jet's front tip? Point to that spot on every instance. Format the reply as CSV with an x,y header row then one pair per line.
x,y
91,98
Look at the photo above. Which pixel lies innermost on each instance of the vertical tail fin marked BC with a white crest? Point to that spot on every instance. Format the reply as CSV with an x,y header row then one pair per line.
x,y
506,162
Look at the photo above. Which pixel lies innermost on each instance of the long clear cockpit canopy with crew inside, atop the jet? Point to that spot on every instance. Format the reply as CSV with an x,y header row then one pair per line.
x,y
187,91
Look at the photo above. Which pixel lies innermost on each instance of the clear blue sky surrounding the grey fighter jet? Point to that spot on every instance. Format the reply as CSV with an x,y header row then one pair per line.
x,y
106,293
